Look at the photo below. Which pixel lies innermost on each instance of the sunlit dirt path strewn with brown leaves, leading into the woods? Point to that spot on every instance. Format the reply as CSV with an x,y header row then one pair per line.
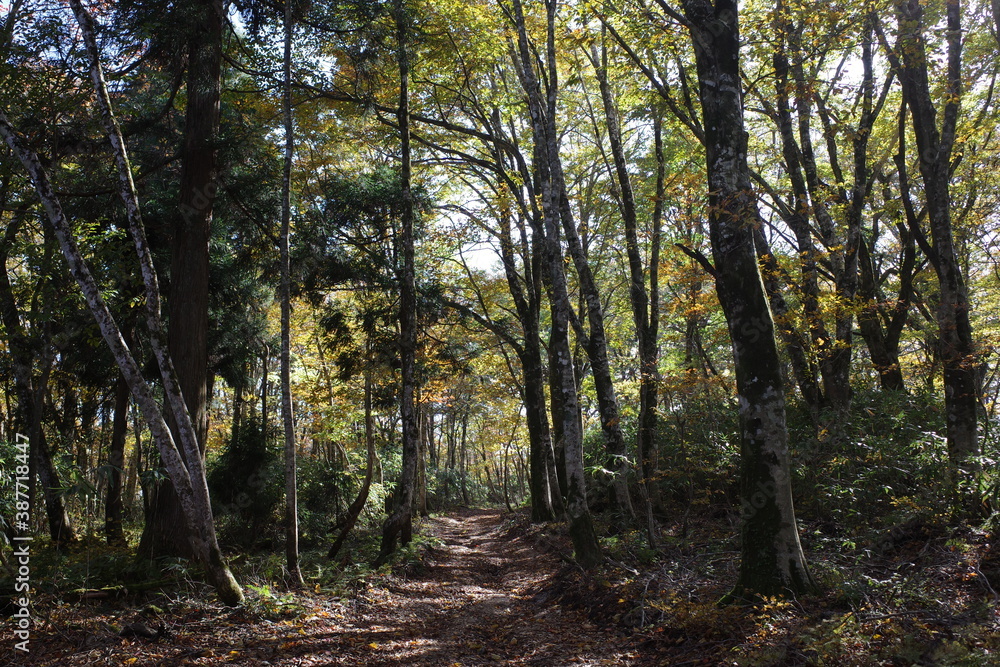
x,y
480,601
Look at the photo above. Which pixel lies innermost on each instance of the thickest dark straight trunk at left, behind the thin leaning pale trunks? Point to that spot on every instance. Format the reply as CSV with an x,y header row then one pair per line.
x,y
187,337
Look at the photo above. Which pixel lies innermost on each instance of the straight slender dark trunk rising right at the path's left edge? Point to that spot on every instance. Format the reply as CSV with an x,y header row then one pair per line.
x,y
399,524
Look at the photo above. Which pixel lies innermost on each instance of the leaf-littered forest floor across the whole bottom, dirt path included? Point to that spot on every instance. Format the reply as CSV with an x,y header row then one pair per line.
x,y
483,587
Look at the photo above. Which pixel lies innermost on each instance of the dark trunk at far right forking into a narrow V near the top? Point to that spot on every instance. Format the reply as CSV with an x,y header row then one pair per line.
x,y
956,346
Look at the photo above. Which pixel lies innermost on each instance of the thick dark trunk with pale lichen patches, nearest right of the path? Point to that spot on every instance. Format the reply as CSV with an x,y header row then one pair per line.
x,y
772,562
